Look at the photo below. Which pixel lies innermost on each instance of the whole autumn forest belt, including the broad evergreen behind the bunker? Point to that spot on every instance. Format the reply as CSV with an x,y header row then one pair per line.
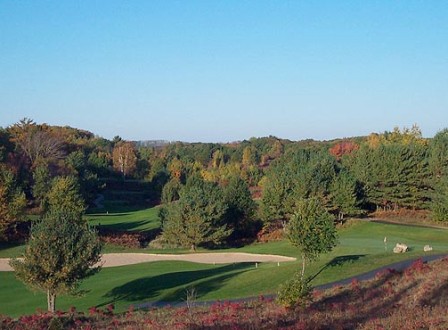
x,y
213,193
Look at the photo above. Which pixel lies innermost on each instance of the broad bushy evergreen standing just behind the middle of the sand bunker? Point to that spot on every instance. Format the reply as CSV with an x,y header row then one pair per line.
x,y
197,217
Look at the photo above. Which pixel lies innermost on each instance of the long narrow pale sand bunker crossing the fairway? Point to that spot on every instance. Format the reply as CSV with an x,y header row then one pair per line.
x,y
123,259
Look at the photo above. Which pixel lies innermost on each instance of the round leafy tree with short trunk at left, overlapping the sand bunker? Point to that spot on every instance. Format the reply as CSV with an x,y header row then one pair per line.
x,y
61,252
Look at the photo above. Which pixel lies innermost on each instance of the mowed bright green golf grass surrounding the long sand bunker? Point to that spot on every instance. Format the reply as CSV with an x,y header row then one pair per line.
x,y
361,248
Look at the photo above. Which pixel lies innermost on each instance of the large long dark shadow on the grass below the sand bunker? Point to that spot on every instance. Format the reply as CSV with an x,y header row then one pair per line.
x,y
147,288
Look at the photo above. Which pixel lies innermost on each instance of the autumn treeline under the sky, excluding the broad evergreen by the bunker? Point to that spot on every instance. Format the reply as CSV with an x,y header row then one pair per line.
x,y
353,176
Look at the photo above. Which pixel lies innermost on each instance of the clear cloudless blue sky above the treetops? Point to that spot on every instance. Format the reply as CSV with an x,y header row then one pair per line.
x,y
225,70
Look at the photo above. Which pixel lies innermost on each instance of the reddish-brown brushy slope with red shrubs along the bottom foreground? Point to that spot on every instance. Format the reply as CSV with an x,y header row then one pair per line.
x,y
413,299
